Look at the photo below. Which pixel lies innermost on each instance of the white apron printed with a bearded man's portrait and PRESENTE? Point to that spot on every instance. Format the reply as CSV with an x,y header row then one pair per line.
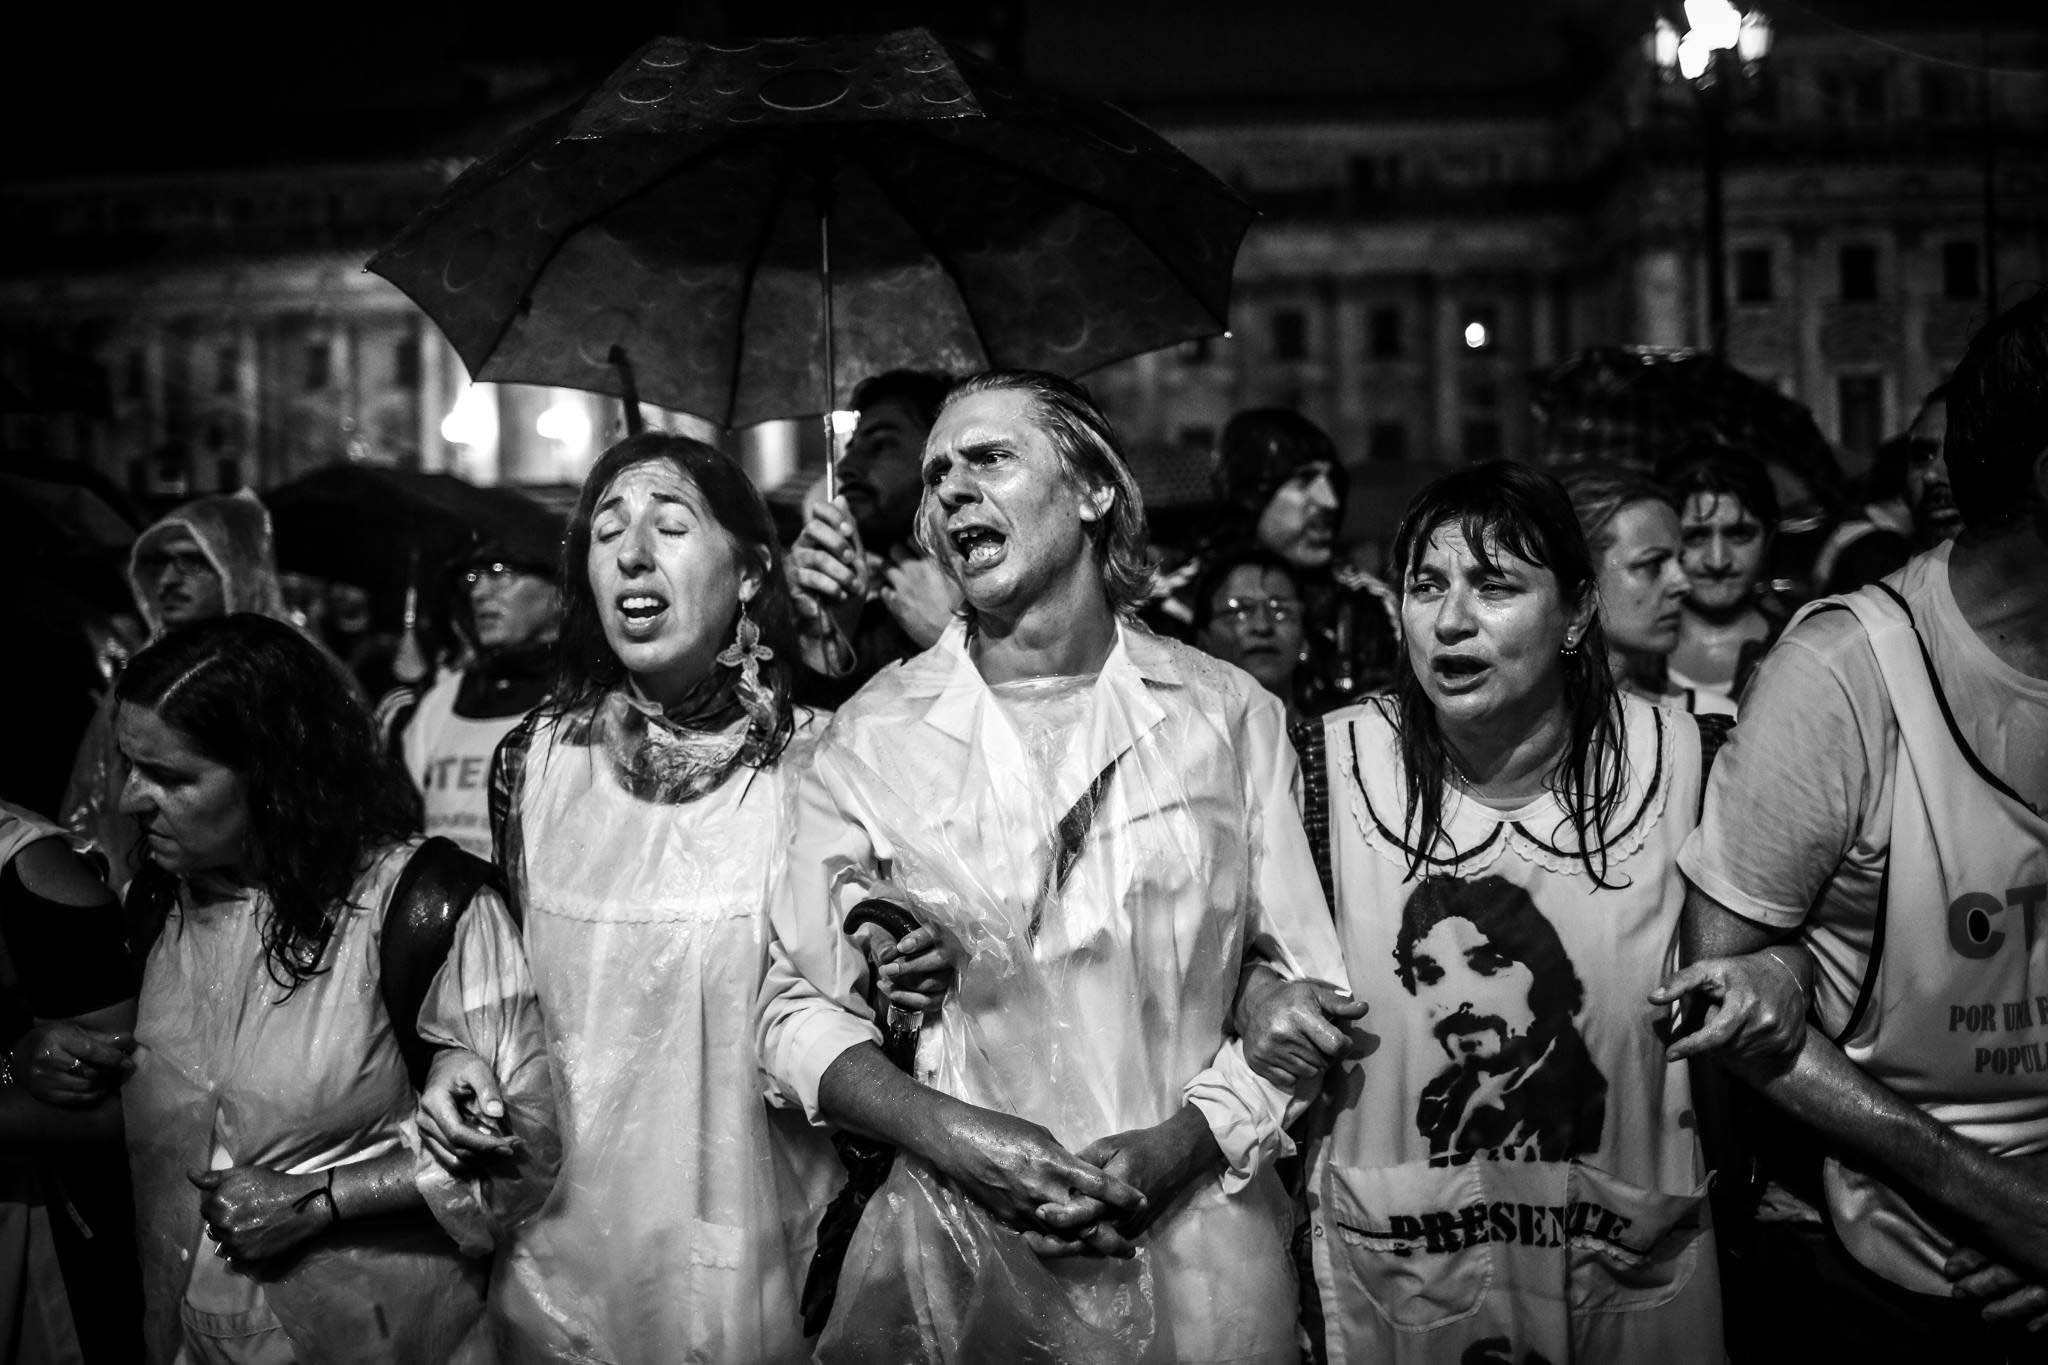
x,y
1514,1170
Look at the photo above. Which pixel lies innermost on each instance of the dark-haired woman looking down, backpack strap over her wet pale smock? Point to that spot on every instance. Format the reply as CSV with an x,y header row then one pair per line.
x,y
288,1016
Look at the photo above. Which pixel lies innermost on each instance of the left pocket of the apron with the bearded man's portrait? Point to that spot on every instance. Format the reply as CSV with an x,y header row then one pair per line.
x,y
1404,1237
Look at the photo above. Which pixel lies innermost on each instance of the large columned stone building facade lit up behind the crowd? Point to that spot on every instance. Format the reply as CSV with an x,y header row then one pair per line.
x,y
1416,267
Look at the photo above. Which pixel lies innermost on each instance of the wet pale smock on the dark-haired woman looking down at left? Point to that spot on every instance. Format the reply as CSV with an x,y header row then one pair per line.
x,y
239,1071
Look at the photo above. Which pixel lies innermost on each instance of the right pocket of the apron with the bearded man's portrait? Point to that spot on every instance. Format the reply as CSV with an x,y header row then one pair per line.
x,y
1631,1247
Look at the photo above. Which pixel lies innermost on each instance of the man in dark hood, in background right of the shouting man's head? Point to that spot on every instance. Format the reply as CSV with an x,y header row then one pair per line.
x,y
1281,490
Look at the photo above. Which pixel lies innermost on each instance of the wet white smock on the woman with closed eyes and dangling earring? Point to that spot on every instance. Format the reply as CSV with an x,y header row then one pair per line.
x,y
687,1210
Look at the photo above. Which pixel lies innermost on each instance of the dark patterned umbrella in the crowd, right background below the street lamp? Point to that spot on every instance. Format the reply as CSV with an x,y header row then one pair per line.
x,y
1639,406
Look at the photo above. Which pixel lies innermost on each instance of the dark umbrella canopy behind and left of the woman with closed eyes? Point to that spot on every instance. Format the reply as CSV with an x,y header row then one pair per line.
x,y
384,529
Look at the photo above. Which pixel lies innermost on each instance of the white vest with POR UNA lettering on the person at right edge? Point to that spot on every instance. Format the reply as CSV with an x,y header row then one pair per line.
x,y
1955,1004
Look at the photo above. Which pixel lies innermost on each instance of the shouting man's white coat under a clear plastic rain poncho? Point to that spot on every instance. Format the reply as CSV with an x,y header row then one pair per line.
x,y
1103,957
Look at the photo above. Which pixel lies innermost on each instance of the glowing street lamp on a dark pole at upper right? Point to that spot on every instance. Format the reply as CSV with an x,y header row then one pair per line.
x,y
1719,54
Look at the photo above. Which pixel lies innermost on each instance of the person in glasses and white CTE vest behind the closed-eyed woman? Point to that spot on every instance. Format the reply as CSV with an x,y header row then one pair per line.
x,y
445,730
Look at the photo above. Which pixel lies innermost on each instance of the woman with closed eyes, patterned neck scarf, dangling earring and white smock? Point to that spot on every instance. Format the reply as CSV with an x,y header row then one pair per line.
x,y
640,818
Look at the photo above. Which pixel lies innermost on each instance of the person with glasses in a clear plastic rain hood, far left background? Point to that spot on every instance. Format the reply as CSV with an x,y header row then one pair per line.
x,y
210,558
